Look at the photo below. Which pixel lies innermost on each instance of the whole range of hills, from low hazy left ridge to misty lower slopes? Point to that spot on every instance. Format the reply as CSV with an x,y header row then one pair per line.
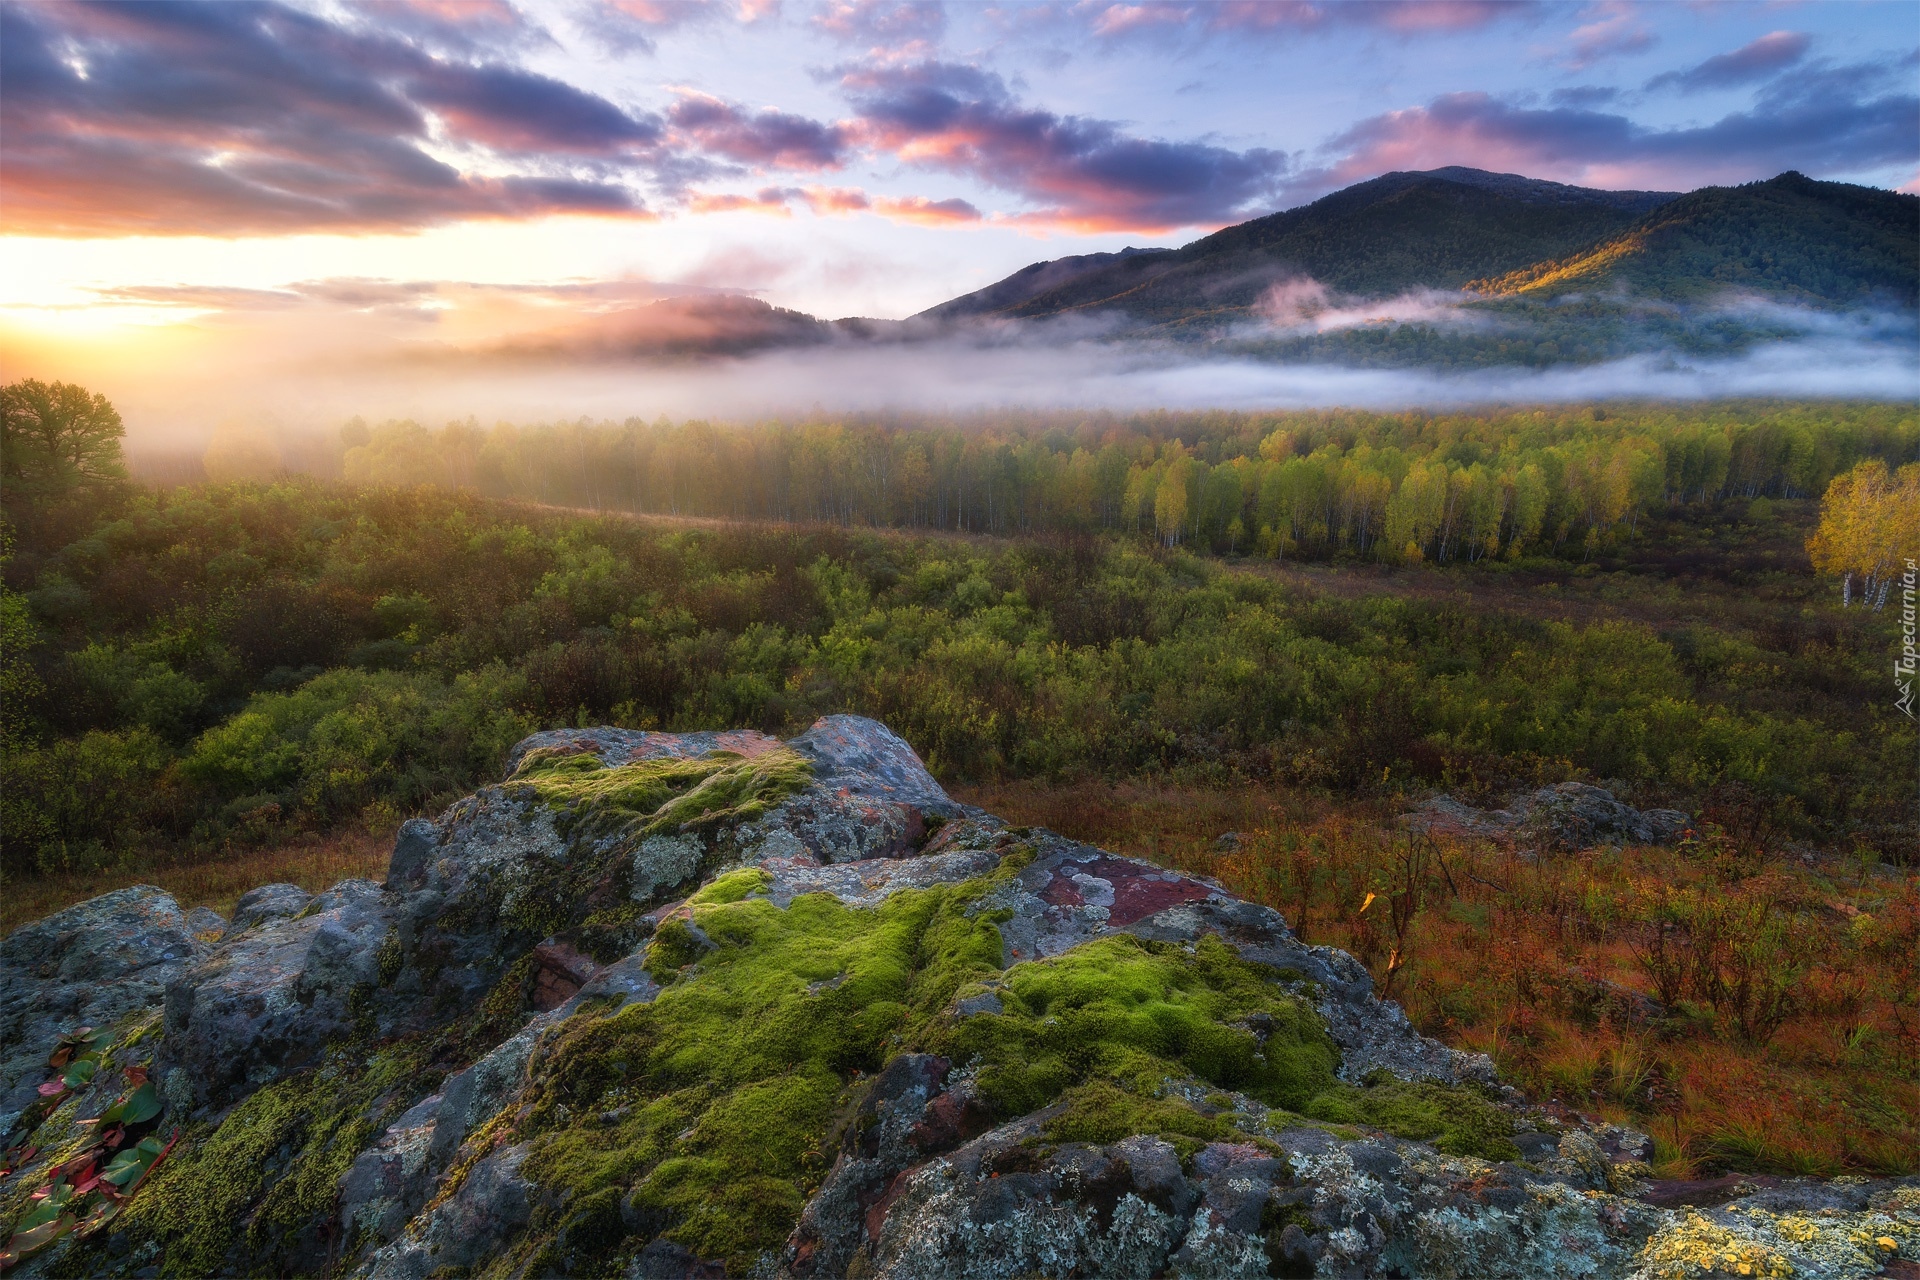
x,y
1543,273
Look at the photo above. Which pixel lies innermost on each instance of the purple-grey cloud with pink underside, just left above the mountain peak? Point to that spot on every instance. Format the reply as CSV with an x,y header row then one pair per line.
x,y
1086,174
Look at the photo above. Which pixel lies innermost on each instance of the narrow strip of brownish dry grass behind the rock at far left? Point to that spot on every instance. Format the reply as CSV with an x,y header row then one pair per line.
x,y
312,863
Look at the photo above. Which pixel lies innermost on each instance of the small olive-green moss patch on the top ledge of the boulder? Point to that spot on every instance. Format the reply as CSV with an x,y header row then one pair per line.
x,y
654,797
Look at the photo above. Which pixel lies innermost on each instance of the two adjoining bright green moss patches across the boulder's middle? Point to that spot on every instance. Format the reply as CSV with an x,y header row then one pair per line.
x,y
708,1112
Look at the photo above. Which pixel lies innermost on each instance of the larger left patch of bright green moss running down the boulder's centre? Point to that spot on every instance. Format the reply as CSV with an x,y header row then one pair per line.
x,y
709,1108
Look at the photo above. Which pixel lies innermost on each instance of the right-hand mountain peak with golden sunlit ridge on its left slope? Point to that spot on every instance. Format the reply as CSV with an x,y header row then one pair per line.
x,y
1790,237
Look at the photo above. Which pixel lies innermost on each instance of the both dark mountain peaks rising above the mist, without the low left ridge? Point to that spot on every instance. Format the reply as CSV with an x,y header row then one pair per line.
x,y
1443,229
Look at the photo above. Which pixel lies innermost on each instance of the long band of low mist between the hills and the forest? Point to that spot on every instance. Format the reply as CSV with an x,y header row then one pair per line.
x,y
178,387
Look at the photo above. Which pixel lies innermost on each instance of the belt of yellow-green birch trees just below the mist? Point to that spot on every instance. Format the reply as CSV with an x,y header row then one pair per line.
x,y
1318,486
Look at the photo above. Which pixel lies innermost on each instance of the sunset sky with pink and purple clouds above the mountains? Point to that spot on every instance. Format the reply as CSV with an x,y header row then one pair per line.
x,y
314,176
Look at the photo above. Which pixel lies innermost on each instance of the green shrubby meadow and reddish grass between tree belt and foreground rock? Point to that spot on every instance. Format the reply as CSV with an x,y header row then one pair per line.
x,y
224,684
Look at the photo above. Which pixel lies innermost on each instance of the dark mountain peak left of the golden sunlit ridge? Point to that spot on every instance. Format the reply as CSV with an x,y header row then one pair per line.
x,y
1378,239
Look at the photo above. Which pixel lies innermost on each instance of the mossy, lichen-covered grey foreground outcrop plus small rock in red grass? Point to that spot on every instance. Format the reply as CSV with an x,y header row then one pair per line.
x,y
721,1005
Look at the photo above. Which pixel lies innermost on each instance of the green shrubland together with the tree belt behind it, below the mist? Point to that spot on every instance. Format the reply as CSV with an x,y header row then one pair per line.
x,y
212,665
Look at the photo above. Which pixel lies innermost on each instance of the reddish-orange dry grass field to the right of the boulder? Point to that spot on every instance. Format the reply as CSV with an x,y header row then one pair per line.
x,y
1552,964
